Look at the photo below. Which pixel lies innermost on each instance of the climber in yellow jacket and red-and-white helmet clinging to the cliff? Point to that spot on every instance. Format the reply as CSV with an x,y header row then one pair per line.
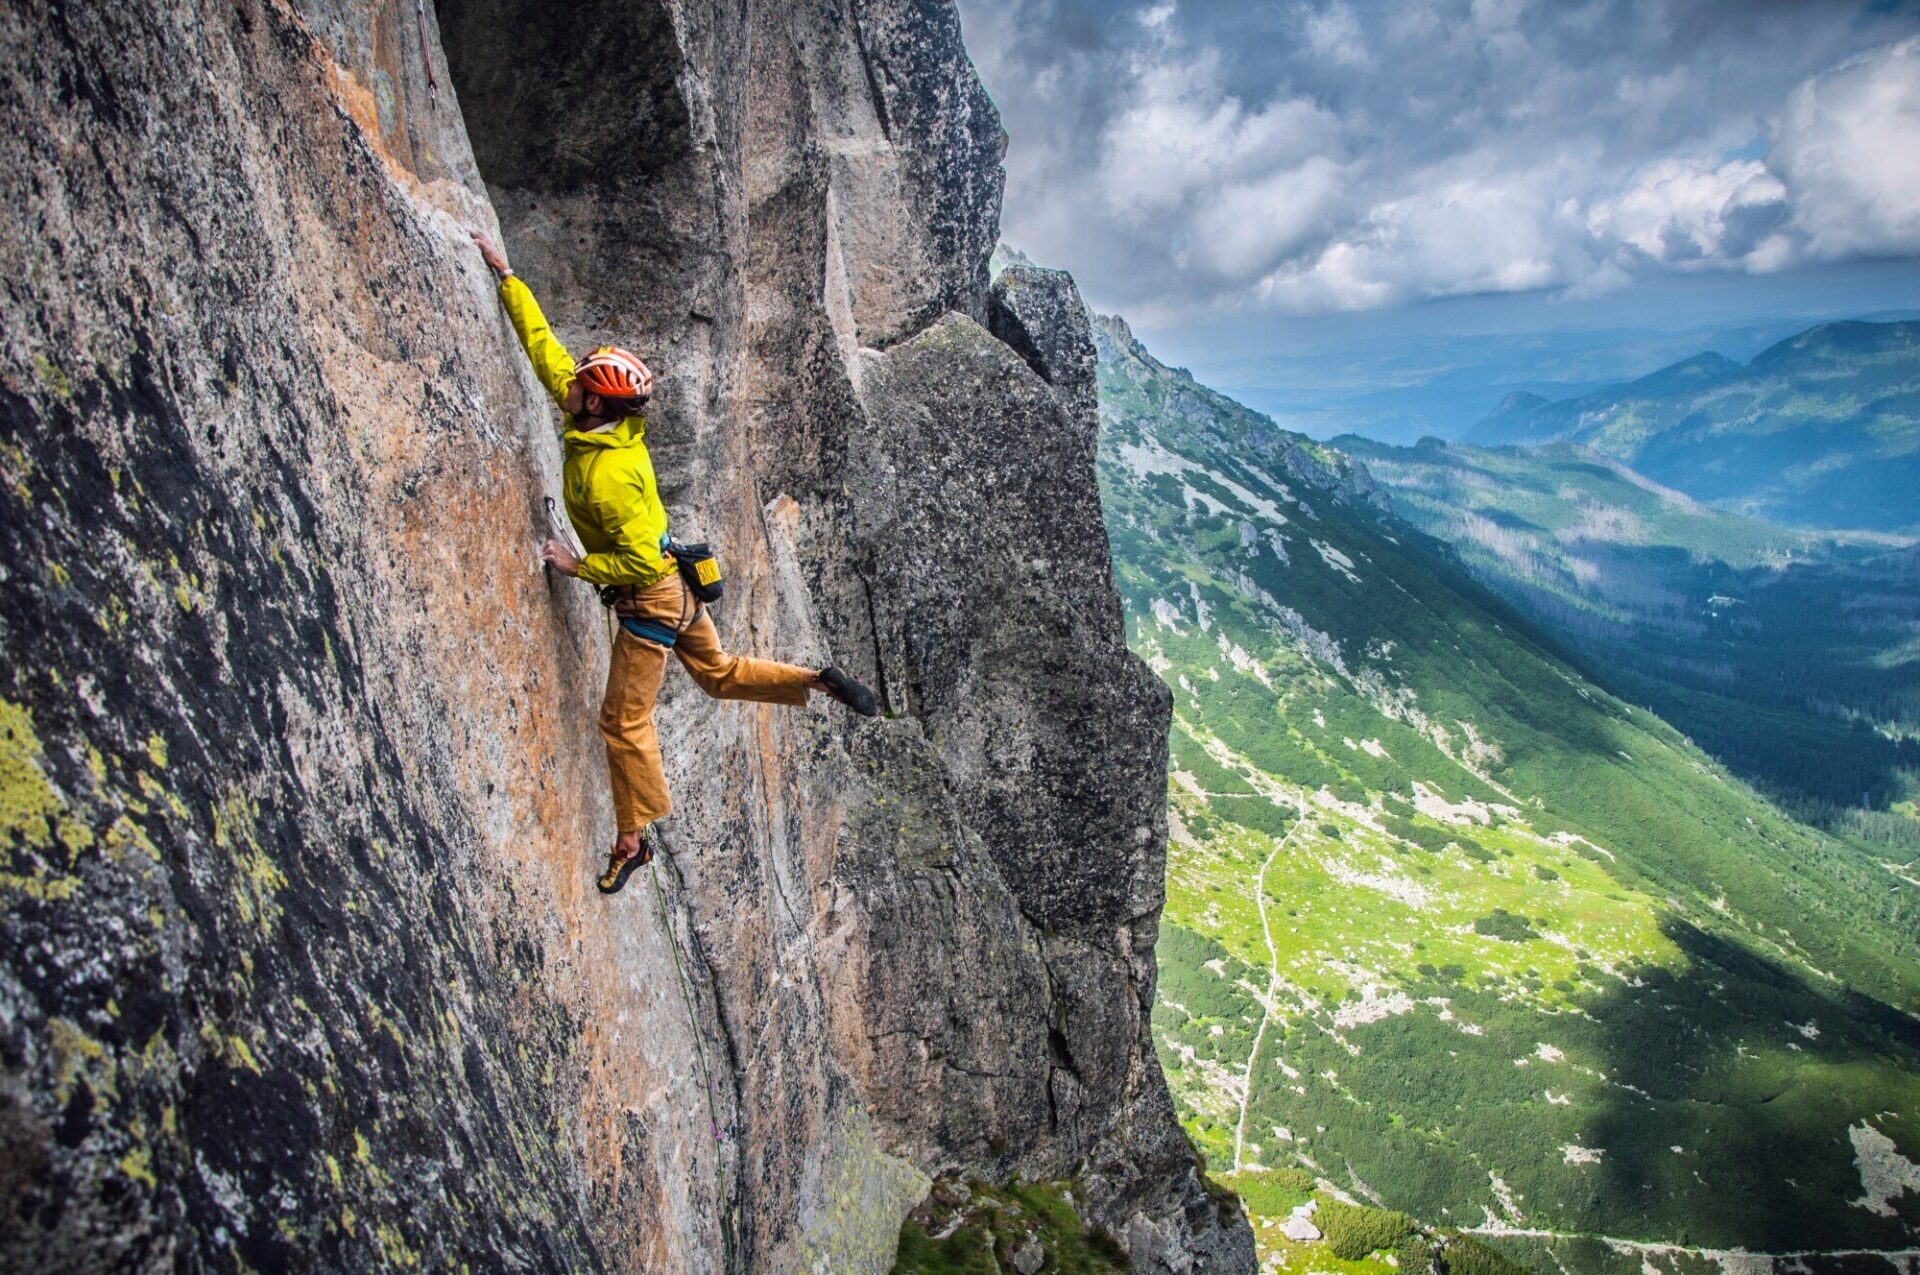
x,y
615,508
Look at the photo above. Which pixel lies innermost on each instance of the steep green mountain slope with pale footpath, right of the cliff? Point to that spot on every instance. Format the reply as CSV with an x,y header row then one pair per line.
x,y
1456,932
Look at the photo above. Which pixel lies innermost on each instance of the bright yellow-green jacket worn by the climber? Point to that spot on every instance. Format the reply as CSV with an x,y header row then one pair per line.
x,y
608,481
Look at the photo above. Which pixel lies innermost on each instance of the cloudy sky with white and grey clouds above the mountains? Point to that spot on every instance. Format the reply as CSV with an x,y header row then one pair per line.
x,y
1337,156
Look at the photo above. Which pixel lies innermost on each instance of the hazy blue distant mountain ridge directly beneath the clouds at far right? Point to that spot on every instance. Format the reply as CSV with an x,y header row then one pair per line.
x,y
1821,429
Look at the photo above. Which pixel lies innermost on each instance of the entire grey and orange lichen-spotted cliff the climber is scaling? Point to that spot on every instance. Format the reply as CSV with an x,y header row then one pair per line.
x,y
302,800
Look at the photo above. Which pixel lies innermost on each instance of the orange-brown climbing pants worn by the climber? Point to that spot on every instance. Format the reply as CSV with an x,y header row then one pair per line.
x,y
635,683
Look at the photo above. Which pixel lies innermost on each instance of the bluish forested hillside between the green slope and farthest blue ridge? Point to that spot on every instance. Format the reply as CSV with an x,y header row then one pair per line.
x,y
1790,656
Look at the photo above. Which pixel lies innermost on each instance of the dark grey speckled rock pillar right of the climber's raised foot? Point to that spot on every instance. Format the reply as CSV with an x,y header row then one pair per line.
x,y
994,608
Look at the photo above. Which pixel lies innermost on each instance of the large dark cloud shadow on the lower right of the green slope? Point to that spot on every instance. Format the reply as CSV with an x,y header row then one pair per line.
x,y
1756,1076
